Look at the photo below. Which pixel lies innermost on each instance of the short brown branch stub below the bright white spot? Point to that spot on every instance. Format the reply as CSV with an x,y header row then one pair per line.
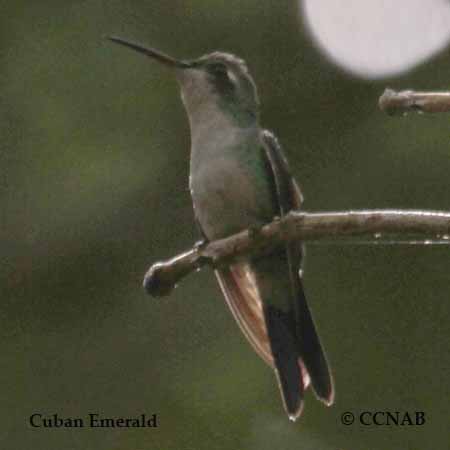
x,y
402,102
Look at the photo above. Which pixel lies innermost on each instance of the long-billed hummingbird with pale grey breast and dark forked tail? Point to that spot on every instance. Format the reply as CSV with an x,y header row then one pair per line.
x,y
240,179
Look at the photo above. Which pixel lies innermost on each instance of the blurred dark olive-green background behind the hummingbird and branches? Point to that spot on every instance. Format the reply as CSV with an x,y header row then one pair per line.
x,y
94,151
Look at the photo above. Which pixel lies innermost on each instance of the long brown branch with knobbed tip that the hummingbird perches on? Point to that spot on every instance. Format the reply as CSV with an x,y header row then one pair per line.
x,y
162,277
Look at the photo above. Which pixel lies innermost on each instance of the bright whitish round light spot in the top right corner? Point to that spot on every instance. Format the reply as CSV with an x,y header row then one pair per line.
x,y
378,38
